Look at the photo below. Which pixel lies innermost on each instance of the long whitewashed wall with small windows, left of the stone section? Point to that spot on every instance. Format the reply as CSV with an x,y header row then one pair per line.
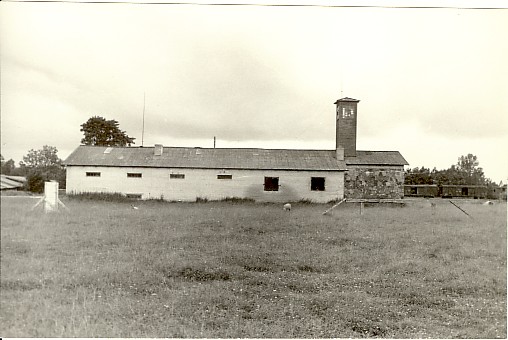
x,y
156,183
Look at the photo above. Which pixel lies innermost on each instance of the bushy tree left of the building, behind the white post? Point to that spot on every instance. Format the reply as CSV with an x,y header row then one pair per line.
x,y
41,166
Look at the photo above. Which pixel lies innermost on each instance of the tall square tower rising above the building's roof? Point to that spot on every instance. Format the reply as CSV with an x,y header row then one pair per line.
x,y
346,127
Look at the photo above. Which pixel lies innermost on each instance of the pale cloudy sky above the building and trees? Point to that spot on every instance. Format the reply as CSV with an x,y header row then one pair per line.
x,y
432,82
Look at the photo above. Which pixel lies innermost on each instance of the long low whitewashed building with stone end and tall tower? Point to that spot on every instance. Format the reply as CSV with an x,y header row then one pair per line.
x,y
268,175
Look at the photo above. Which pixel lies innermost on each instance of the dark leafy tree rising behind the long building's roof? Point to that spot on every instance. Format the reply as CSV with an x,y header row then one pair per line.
x,y
102,132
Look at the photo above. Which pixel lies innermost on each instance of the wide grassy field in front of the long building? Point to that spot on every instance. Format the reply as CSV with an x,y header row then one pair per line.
x,y
252,270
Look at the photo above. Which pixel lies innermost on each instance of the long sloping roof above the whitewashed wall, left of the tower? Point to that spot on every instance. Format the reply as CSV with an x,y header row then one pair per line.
x,y
206,158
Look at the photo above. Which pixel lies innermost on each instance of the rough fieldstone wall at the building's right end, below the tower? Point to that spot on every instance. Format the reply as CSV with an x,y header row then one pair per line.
x,y
374,182
